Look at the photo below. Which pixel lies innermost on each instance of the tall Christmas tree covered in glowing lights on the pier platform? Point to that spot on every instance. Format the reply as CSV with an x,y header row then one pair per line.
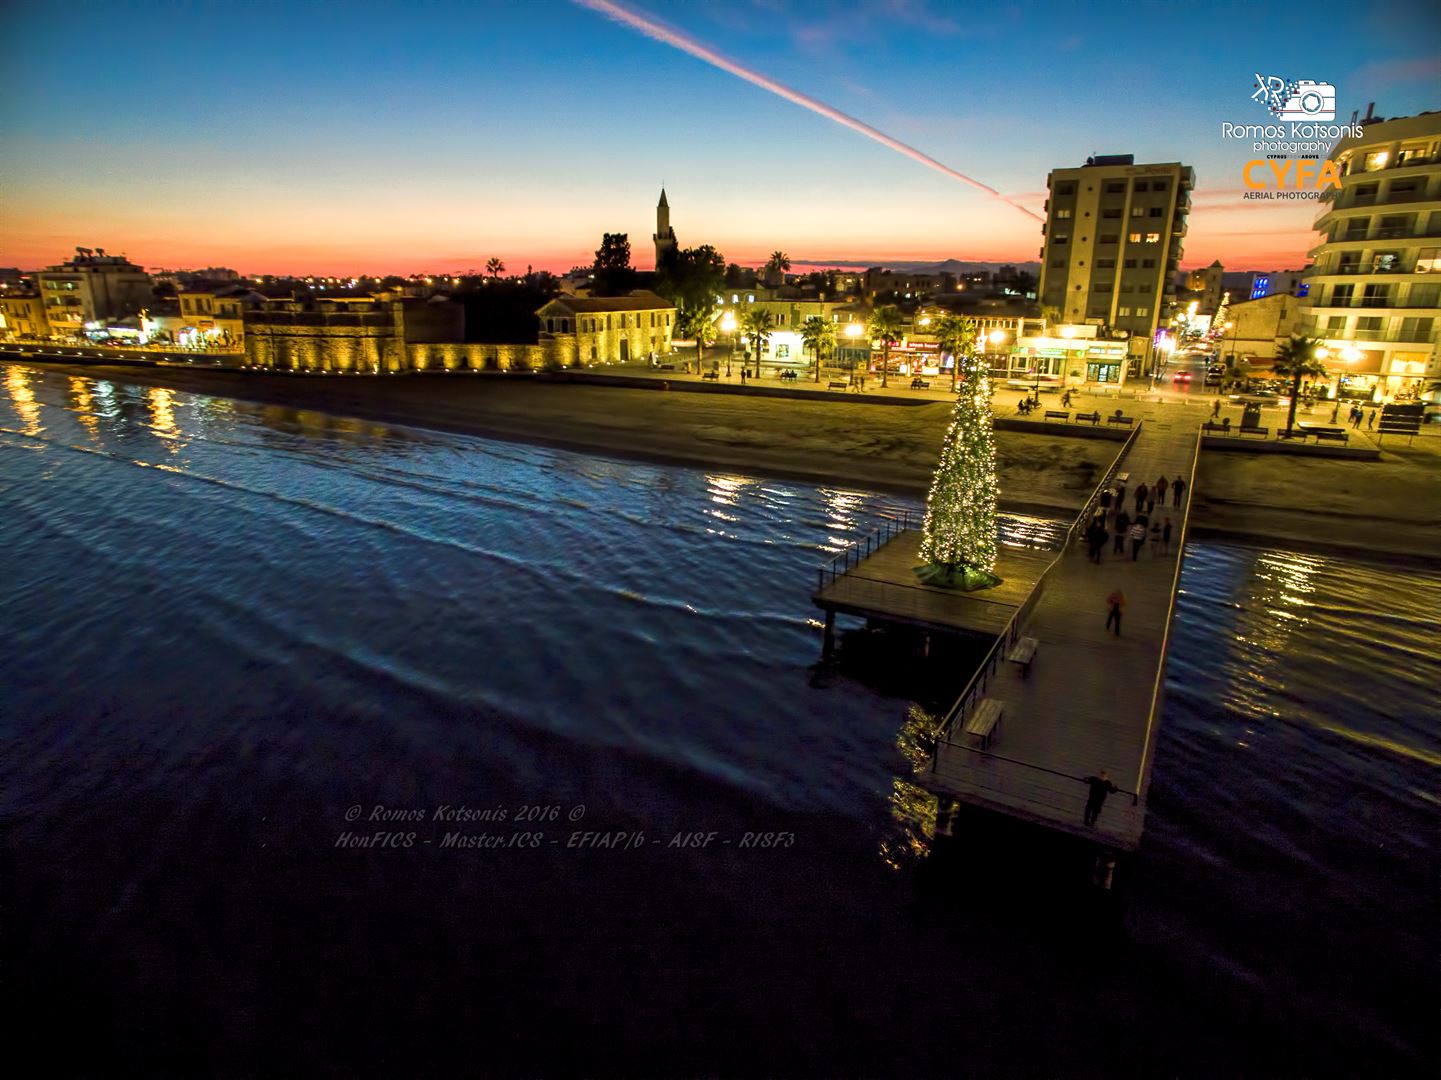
x,y
959,536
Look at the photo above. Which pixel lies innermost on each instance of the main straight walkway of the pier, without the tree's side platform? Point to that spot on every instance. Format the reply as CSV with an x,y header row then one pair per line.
x,y
1092,700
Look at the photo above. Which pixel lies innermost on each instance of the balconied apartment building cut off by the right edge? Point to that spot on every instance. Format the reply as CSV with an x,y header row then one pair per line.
x,y
1375,291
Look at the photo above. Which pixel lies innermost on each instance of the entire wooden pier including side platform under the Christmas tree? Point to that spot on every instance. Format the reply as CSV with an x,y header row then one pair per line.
x,y
1086,700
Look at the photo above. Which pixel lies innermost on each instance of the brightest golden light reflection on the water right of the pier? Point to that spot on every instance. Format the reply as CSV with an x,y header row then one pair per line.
x,y
1282,599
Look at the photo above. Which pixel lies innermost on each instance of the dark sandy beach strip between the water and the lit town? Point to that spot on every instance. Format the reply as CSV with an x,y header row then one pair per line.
x,y
890,452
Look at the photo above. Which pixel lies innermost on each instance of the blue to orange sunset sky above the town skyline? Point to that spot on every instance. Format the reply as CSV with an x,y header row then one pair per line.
x,y
410,138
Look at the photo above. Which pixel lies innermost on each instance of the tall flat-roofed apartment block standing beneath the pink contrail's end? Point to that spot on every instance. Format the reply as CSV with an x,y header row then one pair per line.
x,y
1113,244
